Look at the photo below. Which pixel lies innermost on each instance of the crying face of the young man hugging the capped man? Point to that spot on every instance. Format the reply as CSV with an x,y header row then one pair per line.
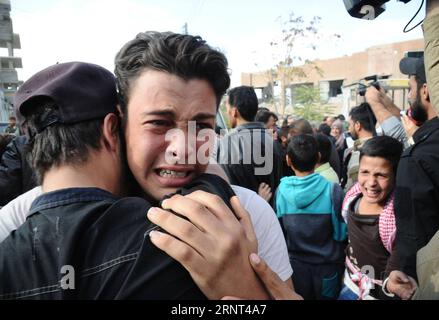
x,y
159,102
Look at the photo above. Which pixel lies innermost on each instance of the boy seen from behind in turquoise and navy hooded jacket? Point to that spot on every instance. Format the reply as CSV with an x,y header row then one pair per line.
x,y
309,209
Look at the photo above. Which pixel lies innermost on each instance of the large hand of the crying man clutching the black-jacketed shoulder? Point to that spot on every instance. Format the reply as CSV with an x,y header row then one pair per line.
x,y
213,245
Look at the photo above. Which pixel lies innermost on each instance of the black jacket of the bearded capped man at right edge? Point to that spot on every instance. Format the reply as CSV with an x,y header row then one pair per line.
x,y
417,195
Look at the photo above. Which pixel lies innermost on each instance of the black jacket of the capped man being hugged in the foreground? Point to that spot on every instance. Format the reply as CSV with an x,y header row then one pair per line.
x,y
83,243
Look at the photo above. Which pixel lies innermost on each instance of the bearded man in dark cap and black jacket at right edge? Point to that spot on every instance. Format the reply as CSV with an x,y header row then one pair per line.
x,y
417,181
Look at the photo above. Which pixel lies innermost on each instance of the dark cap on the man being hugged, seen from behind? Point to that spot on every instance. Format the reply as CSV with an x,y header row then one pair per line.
x,y
82,91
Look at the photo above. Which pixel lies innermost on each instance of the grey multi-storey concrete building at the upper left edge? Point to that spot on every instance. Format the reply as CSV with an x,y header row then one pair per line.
x,y
8,62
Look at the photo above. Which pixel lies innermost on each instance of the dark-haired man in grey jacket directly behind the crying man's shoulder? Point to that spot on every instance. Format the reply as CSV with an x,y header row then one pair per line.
x,y
247,154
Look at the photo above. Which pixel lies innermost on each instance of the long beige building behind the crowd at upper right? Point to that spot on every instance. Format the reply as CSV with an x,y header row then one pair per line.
x,y
340,77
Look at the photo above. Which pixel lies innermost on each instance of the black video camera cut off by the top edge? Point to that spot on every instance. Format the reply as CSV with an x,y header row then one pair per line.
x,y
367,9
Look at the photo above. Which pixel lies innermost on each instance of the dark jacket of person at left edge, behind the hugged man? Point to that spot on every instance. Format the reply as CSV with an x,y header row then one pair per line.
x,y
16,175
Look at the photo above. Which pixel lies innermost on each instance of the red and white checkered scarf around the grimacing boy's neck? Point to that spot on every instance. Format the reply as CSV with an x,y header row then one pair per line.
x,y
387,225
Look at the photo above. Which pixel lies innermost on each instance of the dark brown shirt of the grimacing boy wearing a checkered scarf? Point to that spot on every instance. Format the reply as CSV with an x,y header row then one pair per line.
x,y
365,249
